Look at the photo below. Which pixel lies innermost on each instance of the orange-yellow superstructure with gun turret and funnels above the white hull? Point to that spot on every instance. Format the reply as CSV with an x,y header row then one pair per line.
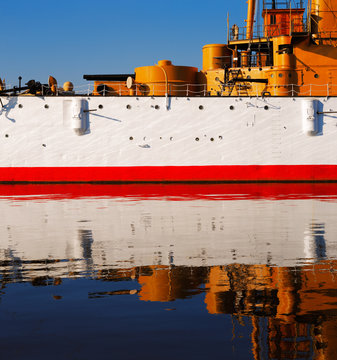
x,y
291,56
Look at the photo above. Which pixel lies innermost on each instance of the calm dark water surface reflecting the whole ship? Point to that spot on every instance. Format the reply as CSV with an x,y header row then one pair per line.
x,y
184,271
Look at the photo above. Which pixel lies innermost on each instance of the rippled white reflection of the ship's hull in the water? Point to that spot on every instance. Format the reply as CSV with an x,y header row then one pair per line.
x,y
88,234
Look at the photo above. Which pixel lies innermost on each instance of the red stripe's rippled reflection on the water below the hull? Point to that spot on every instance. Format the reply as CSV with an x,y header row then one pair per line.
x,y
172,192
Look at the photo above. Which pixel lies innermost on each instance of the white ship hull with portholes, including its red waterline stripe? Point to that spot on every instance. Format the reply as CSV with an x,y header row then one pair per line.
x,y
86,138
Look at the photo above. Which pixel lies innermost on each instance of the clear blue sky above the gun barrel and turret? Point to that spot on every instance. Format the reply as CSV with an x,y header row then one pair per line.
x,y
69,38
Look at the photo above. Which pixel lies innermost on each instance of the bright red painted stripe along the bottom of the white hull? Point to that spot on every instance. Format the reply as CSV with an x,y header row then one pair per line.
x,y
171,173
